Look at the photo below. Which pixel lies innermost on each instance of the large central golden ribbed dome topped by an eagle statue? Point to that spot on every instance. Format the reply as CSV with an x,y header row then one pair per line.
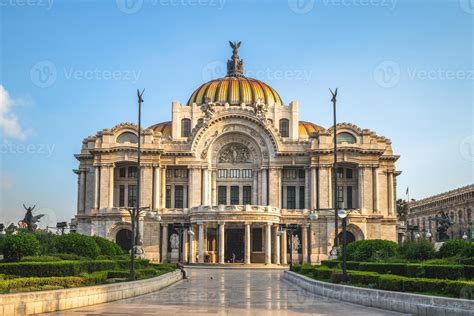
x,y
235,88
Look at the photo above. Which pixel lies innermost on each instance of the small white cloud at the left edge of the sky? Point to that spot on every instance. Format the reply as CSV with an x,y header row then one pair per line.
x,y
9,123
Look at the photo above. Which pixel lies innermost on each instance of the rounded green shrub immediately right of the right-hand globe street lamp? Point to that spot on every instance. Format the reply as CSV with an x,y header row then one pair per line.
x,y
371,250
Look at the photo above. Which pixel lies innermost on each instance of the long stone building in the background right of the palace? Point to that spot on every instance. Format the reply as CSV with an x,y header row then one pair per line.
x,y
457,204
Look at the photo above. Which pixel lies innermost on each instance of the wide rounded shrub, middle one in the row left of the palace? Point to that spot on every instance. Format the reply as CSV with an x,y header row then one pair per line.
x,y
74,243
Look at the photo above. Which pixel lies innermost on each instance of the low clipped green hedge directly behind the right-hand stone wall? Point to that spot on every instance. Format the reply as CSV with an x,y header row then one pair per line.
x,y
398,283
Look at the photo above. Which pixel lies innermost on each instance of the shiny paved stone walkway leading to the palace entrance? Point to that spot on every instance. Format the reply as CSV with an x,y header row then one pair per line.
x,y
229,292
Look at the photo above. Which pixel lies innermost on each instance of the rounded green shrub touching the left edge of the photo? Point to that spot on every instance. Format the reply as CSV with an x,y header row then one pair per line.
x,y
20,245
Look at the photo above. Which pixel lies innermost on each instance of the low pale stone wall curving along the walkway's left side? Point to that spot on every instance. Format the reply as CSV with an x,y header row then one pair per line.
x,y
57,300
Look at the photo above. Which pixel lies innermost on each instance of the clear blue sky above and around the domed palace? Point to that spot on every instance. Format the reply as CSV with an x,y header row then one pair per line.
x,y
70,68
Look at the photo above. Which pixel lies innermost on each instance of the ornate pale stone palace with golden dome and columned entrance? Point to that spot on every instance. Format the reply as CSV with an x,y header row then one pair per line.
x,y
234,165
